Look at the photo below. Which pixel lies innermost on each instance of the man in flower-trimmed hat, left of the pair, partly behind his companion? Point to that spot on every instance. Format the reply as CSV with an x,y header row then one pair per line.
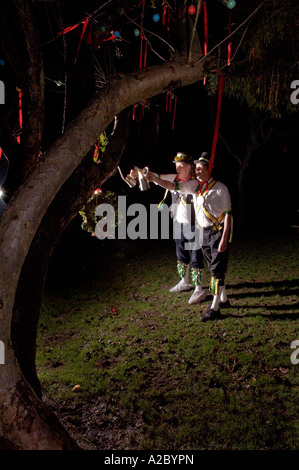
x,y
188,253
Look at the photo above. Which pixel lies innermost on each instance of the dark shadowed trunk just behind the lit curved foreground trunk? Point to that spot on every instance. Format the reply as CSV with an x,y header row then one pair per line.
x,y
70,199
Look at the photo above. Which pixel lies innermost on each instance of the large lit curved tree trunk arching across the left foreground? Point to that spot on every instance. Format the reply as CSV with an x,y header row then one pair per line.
x,y
23,215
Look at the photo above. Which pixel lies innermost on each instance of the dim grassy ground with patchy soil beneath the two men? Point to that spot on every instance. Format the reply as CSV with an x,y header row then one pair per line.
x,y
151,374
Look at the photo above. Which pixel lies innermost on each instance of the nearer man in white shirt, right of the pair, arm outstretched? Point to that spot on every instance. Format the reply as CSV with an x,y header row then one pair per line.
x,y
212,204
